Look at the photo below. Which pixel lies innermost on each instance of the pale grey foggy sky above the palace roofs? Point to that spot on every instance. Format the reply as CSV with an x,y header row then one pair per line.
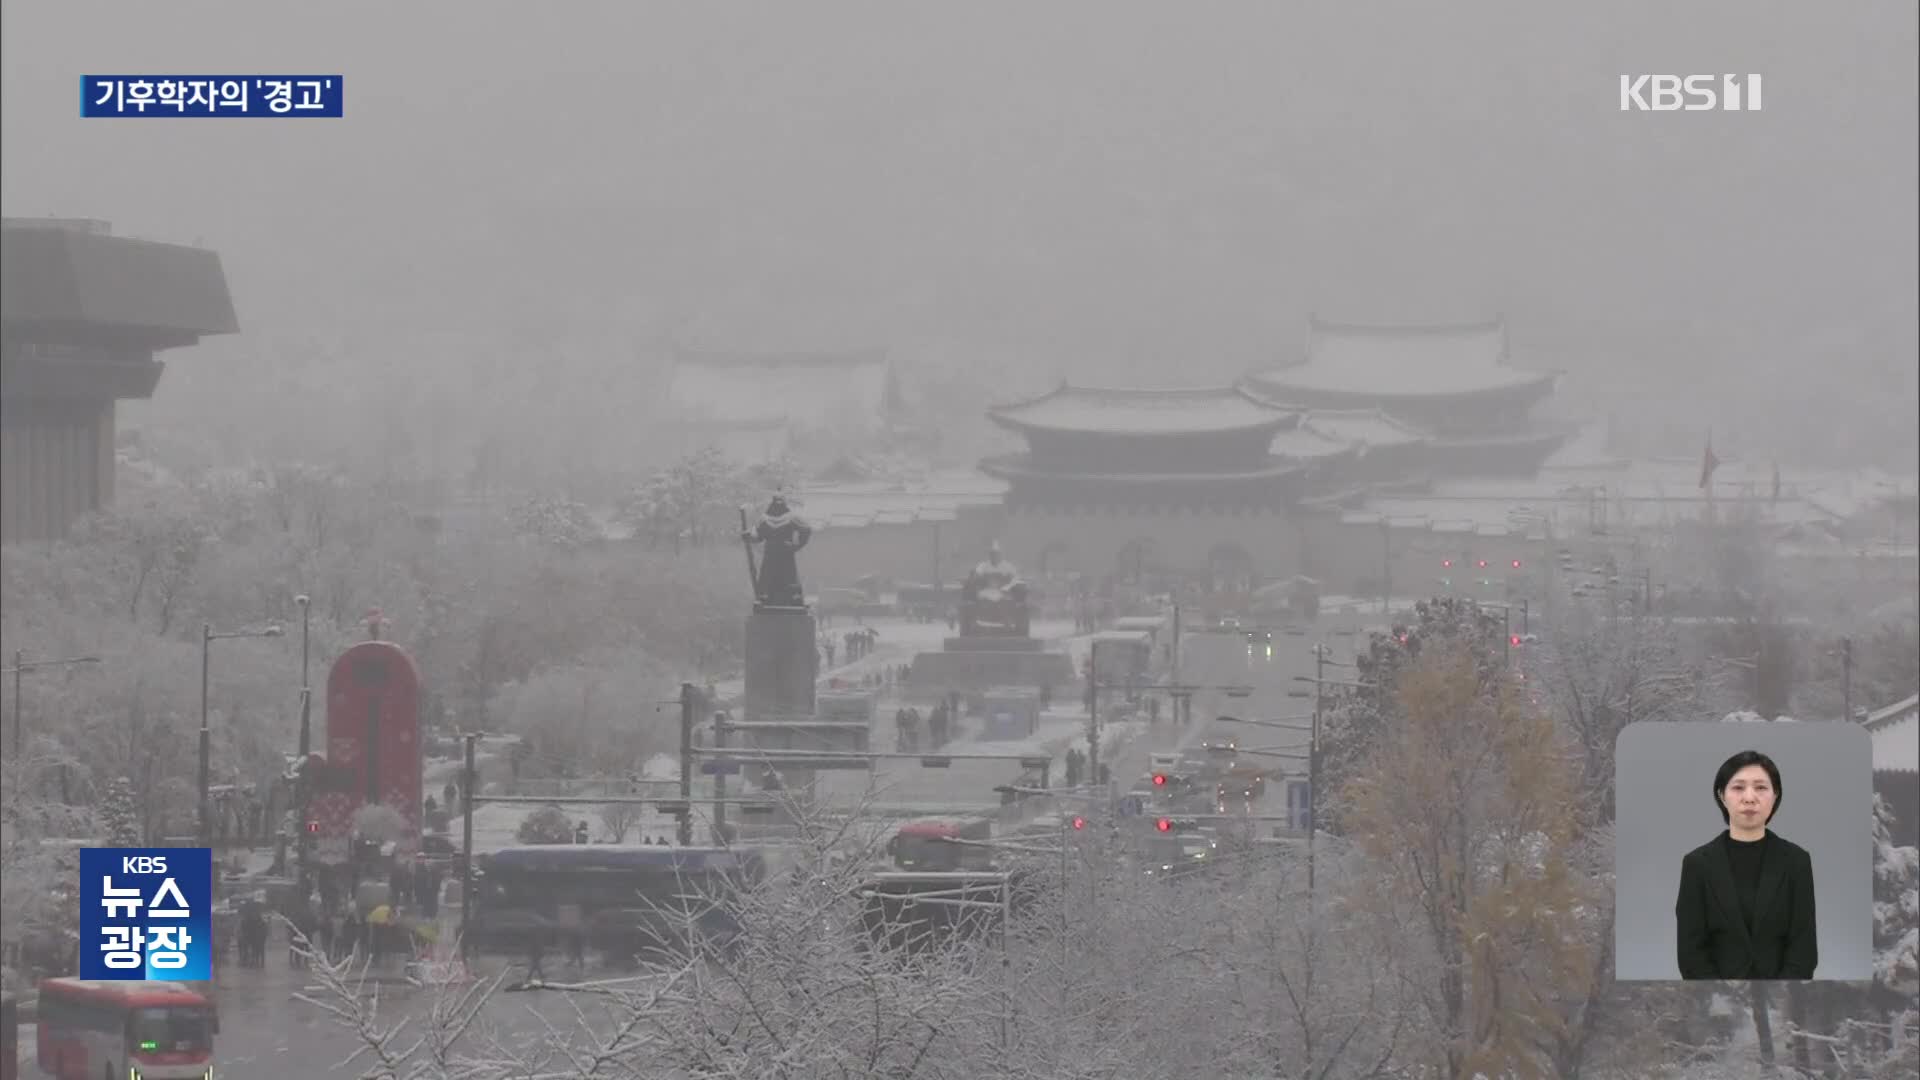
x,y
1124,189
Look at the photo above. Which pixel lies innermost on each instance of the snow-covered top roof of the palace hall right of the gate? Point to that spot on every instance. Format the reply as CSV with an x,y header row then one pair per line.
x,y
1403,362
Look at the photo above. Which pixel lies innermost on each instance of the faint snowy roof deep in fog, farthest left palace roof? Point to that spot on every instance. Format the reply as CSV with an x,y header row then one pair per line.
x,y
807,389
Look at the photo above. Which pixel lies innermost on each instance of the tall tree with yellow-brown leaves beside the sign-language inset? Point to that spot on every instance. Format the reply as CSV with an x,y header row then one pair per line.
x,y
1464,812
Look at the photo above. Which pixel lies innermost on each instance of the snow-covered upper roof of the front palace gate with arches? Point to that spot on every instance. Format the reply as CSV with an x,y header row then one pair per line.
x,y
1128,410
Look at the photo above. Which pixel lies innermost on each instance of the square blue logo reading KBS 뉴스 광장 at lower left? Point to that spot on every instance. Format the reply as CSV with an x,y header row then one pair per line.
x,y
147,914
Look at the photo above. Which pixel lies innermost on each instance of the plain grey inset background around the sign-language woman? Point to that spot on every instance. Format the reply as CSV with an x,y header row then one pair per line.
x,y
1664,785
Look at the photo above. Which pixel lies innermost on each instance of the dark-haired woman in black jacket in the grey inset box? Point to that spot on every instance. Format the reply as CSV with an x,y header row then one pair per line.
x,y
1746,896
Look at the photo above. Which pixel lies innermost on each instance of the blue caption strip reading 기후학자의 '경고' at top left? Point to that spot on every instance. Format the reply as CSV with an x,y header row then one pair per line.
x,y
133,97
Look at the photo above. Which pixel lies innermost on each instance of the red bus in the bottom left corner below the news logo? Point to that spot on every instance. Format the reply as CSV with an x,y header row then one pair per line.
x,y
151,1031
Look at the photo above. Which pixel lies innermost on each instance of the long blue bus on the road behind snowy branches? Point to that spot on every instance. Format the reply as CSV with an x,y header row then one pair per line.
x,y
623,900
